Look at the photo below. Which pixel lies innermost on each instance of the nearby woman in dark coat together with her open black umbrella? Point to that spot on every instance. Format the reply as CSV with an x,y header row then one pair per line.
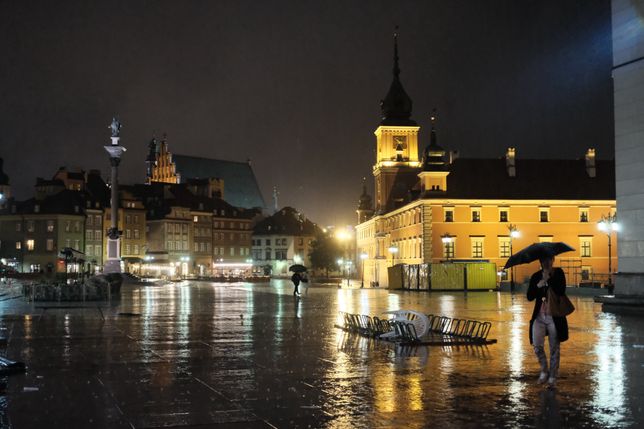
x,y
545,285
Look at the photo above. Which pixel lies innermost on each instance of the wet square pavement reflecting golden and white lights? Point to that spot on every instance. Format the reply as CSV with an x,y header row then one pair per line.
x,y
201,355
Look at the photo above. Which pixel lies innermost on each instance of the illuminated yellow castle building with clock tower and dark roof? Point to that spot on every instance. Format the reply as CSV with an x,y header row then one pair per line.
x,y
441,207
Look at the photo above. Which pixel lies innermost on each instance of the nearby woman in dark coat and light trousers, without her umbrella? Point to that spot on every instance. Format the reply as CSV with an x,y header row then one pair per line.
x,y
543,322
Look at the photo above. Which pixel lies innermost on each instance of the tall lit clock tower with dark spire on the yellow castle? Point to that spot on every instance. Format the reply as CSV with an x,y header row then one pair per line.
x,y
397,164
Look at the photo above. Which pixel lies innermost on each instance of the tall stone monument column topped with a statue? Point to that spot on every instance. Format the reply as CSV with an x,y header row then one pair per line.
x,y
115,151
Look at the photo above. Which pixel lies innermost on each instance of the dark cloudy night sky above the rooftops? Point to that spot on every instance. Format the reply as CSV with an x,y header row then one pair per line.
x,y
295,85
